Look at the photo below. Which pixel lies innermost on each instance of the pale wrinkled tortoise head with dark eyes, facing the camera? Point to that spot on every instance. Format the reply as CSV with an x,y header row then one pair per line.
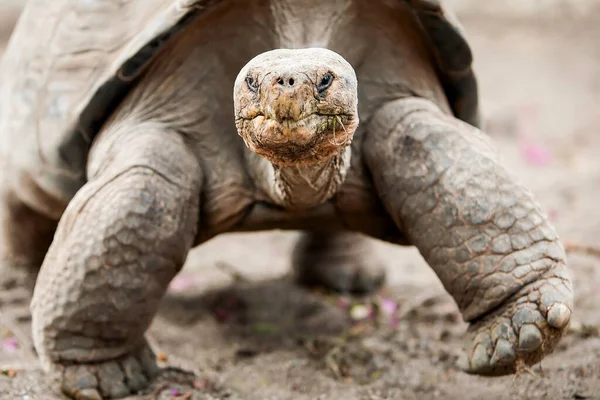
x,y
296,107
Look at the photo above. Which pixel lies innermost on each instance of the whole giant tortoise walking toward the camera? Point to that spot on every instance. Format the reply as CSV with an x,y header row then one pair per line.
x,y
132,131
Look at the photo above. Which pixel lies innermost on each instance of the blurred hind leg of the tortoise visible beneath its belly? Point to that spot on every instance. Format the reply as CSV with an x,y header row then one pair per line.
x,y
342,261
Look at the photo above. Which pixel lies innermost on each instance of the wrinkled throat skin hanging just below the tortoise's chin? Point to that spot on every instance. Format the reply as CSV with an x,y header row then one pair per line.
x,y
299,187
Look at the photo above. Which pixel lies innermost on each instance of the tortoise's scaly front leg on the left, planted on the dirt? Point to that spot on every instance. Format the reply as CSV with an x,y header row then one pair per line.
x,y
122,239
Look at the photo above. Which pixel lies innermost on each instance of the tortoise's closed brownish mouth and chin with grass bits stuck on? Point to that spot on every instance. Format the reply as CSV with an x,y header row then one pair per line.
x,y
308,140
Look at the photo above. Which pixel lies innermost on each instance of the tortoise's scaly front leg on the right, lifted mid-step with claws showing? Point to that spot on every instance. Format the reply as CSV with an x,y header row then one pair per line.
x,y
483,234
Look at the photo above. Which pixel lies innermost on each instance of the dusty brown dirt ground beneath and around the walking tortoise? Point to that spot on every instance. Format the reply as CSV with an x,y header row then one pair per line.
x,y
234,318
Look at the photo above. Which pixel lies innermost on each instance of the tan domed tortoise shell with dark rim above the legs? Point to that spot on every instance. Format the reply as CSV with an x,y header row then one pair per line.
x,y
69,63
